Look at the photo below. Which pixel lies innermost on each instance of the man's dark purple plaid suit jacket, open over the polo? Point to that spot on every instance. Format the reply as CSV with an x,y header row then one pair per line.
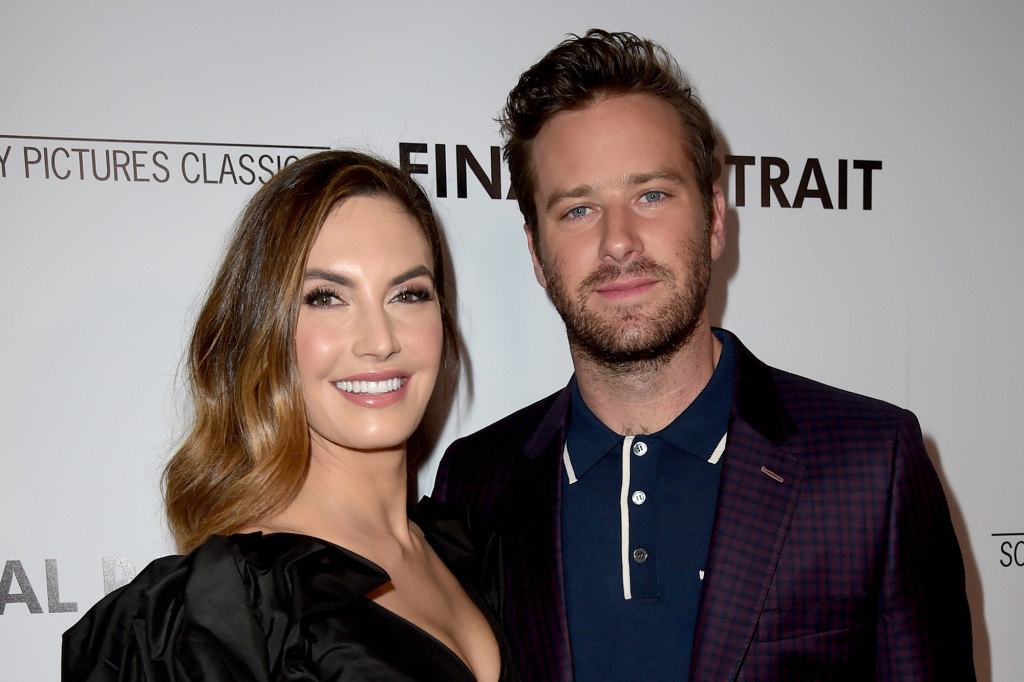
x,y
833,557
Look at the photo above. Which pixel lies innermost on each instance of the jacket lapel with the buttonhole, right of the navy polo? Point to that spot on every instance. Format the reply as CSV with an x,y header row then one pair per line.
x,y
758,493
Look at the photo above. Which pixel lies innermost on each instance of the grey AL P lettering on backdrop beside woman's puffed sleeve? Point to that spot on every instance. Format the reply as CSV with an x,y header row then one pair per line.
x,y
18,586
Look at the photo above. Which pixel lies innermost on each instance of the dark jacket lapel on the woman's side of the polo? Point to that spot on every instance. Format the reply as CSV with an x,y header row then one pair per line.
x,y
533,545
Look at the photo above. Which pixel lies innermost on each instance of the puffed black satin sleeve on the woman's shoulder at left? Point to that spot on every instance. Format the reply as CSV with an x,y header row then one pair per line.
x,y
229,595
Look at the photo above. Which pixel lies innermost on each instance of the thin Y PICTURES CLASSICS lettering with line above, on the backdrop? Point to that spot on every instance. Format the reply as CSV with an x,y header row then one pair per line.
x,y
135,161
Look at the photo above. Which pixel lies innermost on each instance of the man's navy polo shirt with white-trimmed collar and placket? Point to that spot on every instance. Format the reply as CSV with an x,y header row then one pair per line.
x,y
636,521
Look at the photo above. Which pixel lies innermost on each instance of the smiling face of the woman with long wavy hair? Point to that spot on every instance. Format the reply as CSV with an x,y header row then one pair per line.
x,y
369,335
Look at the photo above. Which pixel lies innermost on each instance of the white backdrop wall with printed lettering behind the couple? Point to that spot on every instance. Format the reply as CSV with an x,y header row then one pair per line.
x,y
871,155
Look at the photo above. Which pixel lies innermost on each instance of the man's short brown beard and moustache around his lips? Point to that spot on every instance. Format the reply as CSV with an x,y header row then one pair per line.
x,y
635,338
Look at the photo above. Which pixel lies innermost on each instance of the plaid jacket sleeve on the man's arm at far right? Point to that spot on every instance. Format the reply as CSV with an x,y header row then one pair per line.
x,y
924,623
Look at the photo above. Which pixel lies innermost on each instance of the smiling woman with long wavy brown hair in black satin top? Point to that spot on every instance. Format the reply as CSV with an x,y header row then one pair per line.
x,y
311,366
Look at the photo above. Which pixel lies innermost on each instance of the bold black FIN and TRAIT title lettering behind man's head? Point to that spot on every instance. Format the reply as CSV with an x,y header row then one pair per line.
x,y
771,182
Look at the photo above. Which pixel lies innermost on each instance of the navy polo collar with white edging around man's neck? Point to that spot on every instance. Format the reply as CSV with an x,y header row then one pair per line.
x,y
697,431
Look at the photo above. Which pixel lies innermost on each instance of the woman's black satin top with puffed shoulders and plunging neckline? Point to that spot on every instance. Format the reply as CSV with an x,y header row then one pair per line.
x,y
281,607
